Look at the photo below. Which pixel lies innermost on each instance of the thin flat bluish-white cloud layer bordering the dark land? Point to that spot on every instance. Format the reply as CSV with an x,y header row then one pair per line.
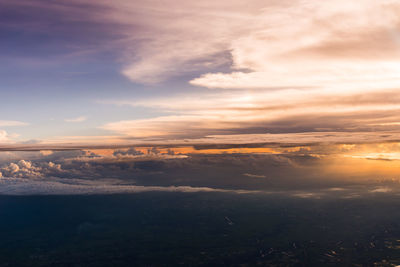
x,y
54,186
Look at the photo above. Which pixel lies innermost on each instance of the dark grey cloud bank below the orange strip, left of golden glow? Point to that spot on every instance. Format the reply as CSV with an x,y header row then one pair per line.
x,y
155,168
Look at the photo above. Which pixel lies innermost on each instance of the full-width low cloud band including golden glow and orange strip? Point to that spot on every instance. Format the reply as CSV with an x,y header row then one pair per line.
x,y
317,168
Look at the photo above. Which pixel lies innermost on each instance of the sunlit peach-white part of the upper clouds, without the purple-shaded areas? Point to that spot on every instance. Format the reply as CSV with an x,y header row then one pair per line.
x,y
342,52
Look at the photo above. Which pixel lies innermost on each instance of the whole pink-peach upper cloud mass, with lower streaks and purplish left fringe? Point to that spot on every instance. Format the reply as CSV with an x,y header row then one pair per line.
x,y
339,75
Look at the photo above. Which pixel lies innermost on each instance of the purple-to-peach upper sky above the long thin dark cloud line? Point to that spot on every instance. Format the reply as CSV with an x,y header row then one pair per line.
x,y
212,71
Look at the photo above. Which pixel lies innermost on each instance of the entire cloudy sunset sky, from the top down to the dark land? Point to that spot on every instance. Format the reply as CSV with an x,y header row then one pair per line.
x,y
148,91
